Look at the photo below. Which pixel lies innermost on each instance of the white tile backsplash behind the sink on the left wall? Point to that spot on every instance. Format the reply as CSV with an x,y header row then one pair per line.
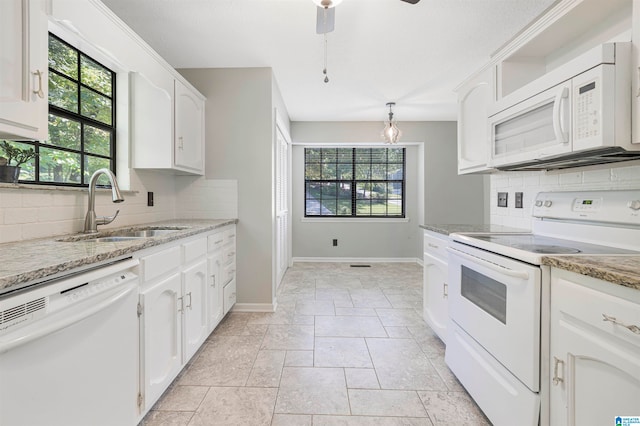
x,y
28,212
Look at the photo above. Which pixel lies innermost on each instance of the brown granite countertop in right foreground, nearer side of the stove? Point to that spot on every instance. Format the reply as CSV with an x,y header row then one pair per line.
x,y
621,270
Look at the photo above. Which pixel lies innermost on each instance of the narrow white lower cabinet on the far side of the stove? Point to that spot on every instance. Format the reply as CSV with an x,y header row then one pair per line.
x,y
435,291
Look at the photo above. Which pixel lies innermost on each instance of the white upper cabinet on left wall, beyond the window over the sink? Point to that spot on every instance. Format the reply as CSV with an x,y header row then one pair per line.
x,y
168,125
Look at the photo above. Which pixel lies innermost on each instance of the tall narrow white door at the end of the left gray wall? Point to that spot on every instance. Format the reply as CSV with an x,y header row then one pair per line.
x,y
282,243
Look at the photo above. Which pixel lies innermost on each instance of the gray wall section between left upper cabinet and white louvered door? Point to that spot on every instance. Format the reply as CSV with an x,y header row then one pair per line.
x,y
239,145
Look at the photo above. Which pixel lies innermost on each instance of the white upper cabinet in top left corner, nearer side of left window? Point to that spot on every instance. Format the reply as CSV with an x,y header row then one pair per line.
x,y
23,79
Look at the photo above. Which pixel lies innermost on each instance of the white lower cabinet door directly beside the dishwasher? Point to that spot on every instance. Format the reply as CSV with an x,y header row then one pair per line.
x,y
162,336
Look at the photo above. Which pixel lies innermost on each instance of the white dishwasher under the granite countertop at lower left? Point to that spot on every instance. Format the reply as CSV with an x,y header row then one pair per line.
x,y
69,350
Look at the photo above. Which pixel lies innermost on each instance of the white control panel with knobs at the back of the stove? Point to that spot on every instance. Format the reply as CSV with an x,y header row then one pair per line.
x,y
616,206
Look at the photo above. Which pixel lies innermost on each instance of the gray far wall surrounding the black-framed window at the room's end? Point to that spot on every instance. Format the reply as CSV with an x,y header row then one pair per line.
x,y
438,196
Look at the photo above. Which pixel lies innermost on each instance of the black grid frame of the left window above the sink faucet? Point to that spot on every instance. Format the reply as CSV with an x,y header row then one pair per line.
x,y
81,119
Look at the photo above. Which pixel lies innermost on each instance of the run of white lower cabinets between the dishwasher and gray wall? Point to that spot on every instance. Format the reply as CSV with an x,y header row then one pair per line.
x,y
186,288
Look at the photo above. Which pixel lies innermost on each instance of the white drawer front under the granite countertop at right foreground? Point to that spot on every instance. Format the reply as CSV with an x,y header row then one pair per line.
x,y
610,314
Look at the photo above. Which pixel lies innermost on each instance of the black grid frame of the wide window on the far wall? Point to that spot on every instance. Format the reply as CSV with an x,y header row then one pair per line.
x,y
353,182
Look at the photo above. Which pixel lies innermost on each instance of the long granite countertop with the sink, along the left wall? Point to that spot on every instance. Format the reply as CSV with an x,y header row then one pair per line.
x,y
27,262
